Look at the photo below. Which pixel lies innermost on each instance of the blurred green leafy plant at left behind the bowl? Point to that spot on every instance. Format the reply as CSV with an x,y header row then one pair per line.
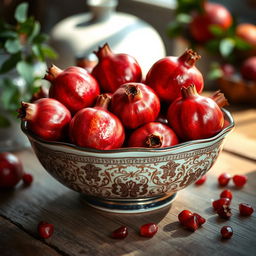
x,y
23,54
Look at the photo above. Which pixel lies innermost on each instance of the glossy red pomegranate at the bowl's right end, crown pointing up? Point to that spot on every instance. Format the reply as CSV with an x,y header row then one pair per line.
x,y
194,116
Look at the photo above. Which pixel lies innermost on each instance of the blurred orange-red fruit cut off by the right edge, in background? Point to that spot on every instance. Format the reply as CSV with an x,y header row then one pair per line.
x,y
247,32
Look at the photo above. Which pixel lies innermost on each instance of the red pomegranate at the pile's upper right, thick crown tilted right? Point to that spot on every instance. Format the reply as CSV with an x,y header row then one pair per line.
x,y
169,74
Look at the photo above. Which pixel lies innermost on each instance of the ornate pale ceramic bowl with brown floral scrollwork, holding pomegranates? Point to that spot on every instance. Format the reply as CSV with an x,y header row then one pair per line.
x,y
129,180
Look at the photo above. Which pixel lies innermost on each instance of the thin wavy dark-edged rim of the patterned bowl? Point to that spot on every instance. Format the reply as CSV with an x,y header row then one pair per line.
x,y
228,128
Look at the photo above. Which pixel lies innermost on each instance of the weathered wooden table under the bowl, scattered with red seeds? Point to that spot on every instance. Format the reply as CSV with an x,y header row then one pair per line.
x,y
82,230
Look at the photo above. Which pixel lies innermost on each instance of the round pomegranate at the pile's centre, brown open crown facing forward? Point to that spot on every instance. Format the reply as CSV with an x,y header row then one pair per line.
x,y
135,104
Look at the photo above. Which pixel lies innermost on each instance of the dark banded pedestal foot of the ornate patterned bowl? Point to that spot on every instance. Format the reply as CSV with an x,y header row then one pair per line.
x,y
130,205
